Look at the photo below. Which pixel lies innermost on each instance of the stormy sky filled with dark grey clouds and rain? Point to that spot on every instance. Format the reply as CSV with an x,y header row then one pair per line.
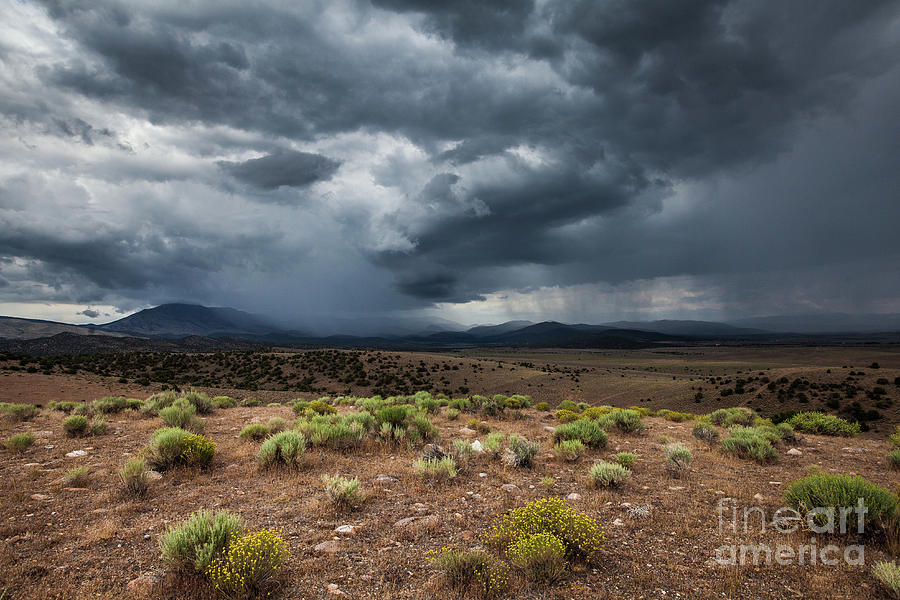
x,y
478,161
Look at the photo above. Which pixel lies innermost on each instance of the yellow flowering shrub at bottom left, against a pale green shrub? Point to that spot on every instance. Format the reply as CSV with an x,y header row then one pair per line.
x,y
249,565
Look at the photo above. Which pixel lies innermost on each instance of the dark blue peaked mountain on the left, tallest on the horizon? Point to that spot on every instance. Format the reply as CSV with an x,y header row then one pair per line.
x,y
181,320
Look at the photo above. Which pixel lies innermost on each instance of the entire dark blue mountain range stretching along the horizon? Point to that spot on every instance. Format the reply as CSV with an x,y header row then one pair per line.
x,y
182,321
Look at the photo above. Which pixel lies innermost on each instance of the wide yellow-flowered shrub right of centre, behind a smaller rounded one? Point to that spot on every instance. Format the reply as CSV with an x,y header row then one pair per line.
x,y
579,533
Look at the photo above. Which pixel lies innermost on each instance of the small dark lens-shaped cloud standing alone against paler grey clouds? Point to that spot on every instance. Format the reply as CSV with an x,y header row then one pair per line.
x,y
287,168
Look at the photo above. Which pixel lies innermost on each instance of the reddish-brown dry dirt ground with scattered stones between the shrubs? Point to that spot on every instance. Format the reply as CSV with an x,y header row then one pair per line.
x,y
58,542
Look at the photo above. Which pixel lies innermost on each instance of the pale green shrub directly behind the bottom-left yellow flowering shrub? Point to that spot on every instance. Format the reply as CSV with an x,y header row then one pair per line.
x,y
195,543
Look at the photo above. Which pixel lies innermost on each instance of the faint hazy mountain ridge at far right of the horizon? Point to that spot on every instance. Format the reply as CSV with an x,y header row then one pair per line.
x,y
824,323
